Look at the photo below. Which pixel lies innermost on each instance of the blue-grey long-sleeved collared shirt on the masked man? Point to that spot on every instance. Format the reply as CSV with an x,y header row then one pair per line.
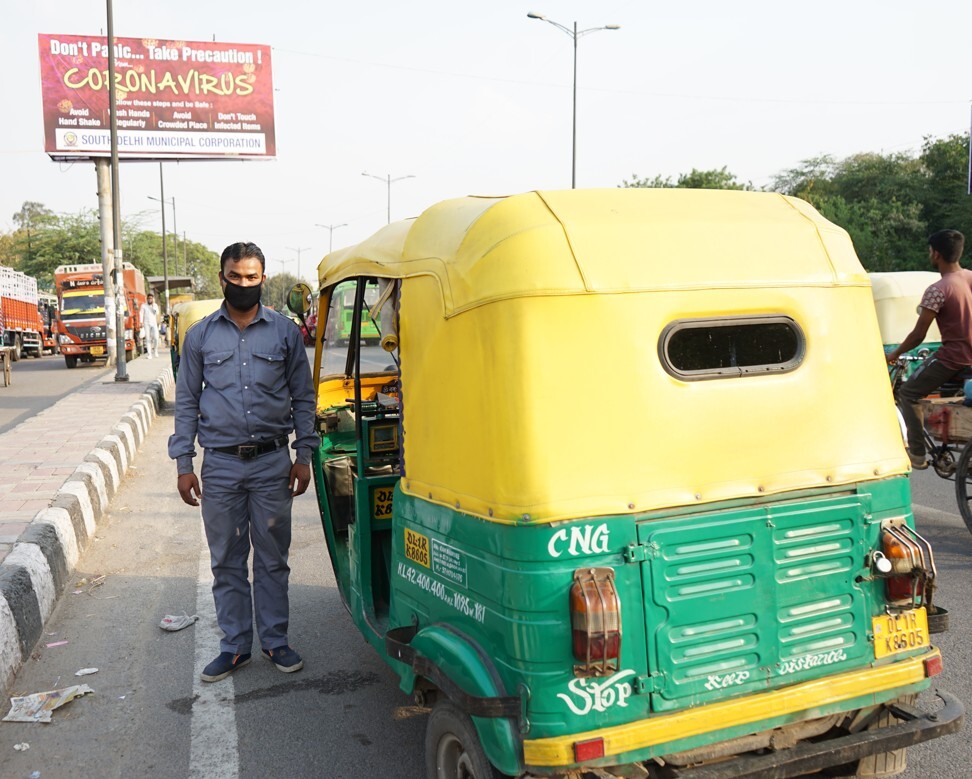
x,y
243,386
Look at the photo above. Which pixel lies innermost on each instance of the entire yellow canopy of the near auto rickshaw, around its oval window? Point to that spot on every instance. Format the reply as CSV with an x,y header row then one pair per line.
x,y
532,362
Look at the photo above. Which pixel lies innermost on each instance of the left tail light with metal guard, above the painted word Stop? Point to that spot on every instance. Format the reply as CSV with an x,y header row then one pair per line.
x,y
595,620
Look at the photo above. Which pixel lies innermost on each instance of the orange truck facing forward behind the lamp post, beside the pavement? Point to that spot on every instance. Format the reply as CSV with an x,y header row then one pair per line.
x,y
81,324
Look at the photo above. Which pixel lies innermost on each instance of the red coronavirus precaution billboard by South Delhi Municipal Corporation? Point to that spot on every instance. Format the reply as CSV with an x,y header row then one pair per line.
x,y
175,99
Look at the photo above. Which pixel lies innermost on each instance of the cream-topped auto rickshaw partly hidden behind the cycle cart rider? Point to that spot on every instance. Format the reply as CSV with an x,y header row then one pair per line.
x,y
897,295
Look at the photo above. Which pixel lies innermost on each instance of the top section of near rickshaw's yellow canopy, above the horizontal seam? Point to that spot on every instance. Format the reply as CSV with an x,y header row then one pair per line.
x,y
483,249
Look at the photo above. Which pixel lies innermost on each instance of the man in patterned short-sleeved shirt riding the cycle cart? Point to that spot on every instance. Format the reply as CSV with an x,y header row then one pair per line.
x,y
949,302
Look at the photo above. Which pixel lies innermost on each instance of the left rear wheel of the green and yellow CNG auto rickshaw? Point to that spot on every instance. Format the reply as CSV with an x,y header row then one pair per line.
x,y
452,748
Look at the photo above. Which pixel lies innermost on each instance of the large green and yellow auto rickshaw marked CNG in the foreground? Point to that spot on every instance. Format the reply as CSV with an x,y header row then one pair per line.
x,y
596,498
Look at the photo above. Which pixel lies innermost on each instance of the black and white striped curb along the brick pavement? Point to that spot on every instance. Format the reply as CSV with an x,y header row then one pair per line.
x,y
39,566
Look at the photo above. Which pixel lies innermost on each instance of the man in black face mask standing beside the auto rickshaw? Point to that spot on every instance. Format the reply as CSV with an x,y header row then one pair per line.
x,y
244,385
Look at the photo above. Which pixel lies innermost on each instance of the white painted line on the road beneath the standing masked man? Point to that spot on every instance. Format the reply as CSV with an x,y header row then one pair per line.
x,y
213,749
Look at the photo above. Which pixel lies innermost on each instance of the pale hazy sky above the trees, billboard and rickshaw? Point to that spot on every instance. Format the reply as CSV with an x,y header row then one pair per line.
x,y
475,98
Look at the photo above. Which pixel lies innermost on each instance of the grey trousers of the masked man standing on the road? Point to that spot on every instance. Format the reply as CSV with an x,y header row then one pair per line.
x,y
244,502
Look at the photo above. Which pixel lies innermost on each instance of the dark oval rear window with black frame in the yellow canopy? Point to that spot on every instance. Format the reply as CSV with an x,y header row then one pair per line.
x,y
731,346
